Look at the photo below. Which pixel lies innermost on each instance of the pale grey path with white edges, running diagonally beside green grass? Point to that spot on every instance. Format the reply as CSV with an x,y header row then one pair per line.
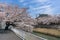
x,y
26,35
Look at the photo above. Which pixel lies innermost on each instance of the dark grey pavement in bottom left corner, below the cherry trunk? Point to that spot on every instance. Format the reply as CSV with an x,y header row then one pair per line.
x,y
8,36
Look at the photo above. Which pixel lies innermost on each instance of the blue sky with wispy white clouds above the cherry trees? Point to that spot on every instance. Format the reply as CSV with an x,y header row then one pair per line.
x,y
36,7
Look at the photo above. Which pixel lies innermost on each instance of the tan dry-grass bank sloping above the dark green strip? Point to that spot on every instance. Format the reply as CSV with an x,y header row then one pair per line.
x,y
52,32
